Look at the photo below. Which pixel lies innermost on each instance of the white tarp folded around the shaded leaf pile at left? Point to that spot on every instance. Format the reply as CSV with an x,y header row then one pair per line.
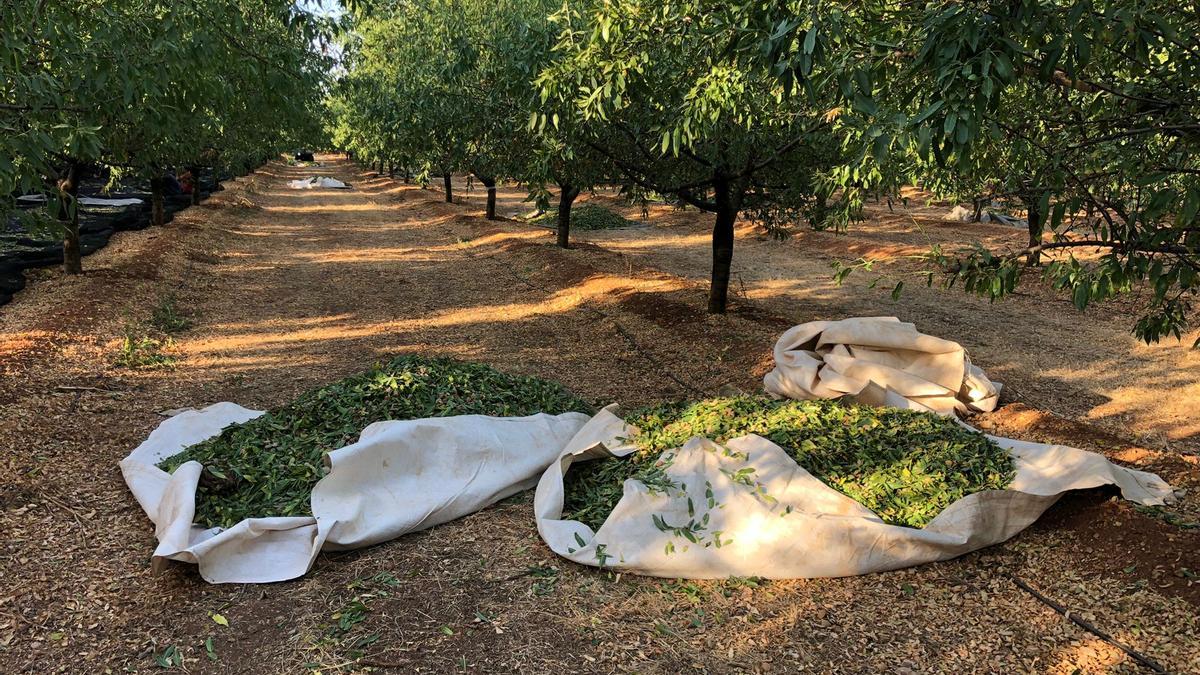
x,y
399,477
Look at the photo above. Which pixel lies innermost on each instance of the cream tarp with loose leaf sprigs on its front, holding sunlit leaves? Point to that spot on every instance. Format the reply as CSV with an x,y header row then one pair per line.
x,y
746,509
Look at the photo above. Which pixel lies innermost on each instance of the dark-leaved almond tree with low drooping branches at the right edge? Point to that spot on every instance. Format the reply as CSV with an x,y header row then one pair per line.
x,y
1084,110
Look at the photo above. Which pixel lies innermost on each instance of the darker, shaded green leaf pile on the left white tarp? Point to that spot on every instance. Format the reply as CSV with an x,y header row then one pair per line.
x,y
269,465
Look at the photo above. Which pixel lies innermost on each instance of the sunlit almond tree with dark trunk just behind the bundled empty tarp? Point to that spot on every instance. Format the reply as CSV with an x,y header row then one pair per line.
x,y
671,98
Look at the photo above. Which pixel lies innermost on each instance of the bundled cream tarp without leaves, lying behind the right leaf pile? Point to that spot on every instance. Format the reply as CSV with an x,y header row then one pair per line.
x,y
880,362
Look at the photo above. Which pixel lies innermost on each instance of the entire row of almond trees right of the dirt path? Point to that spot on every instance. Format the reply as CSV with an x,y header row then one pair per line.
x,y
1081,114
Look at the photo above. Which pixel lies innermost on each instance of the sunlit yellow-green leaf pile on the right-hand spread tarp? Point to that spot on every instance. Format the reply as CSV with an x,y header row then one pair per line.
x,y
905,467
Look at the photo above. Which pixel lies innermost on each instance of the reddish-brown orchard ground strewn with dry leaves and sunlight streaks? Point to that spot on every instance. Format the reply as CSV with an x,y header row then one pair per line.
x,y
289,290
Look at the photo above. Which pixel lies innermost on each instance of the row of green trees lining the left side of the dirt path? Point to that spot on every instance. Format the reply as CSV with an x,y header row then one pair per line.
x,y
140,86
